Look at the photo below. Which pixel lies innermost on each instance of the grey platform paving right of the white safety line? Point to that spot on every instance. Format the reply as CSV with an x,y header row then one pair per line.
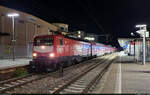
x,y
135,78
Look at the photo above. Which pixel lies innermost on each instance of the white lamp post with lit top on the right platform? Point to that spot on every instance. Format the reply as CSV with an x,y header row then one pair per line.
x,y
142,33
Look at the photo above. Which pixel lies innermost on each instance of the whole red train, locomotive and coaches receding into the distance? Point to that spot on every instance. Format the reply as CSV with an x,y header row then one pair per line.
x,y
51,51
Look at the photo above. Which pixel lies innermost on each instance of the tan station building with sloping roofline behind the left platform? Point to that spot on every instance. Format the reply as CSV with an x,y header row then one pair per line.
x,y
26,27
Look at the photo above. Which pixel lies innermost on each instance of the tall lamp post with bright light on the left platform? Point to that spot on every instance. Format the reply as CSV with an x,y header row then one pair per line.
x,y
13,15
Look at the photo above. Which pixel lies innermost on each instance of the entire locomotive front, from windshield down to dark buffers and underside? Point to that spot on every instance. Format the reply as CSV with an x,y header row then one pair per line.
x,y
43,53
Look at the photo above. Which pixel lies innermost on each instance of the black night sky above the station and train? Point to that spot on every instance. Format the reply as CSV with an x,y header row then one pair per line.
x,y
115,17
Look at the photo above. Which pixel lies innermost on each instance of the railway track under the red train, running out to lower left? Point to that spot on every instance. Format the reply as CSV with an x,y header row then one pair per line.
x,y
16,82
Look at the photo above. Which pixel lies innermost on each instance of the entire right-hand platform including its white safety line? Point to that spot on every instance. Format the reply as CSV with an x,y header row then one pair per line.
x,y
125,77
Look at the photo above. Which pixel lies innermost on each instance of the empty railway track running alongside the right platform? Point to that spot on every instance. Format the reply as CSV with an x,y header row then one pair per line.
x,y
84,81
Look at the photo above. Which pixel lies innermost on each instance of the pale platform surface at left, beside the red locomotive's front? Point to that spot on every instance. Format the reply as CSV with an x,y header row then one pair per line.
x,y
9,63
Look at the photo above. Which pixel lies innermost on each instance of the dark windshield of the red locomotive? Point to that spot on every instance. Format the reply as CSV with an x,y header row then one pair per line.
x,y
44,41
